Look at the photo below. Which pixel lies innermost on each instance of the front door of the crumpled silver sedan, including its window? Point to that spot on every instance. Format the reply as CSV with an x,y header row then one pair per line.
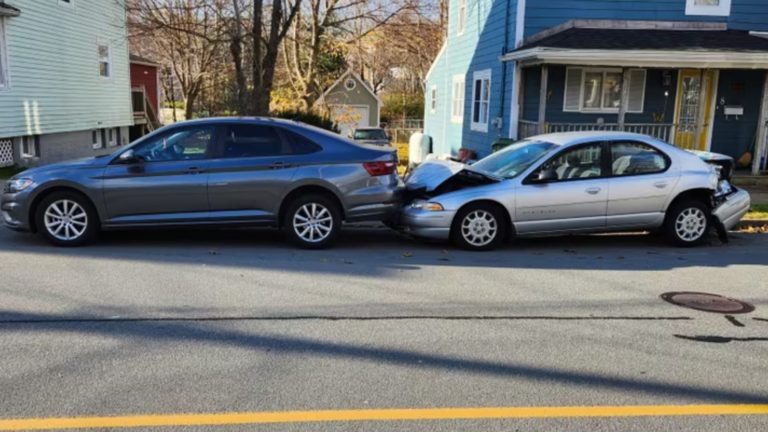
x,y
575,200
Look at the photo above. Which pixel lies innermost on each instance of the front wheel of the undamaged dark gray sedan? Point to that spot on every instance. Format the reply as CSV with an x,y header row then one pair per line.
x,y
67,219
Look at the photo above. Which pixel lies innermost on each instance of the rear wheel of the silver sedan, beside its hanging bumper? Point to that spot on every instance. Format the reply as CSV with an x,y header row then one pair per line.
x,y
688,223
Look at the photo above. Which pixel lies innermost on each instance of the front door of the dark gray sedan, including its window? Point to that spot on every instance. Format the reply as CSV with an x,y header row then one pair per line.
x,y
166,181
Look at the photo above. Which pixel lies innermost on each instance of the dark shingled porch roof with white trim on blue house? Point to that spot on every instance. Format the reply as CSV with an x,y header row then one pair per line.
x,y
717,49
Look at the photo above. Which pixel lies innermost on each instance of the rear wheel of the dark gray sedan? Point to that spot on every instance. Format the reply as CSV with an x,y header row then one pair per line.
x,y
312,221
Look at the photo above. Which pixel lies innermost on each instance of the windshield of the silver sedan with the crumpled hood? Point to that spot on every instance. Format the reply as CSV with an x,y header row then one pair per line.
x,y
513,160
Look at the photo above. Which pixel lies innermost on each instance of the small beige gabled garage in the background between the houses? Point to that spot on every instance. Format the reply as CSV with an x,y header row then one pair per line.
x,y
351,103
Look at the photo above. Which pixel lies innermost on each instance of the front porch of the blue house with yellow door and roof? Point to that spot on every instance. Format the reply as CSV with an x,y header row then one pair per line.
x,y
707,99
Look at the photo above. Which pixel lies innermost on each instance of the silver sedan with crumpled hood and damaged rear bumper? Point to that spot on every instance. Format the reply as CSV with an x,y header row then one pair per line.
x,y
569,183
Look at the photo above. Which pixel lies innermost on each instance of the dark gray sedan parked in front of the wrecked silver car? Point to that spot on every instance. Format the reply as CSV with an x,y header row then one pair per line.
x,y
226,171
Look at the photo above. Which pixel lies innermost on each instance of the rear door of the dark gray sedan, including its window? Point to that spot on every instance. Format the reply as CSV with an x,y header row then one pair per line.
x,y
256,165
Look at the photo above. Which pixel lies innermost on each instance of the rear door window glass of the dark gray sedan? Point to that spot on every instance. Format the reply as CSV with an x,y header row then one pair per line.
x,y
252,140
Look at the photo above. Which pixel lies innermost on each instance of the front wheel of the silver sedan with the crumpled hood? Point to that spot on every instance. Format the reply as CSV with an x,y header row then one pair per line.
x,y
479,227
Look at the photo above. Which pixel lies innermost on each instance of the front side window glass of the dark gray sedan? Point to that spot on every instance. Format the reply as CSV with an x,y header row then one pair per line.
x,y
185,144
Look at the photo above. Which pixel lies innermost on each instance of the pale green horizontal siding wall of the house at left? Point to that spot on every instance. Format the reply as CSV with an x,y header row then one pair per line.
x,y
55,86
